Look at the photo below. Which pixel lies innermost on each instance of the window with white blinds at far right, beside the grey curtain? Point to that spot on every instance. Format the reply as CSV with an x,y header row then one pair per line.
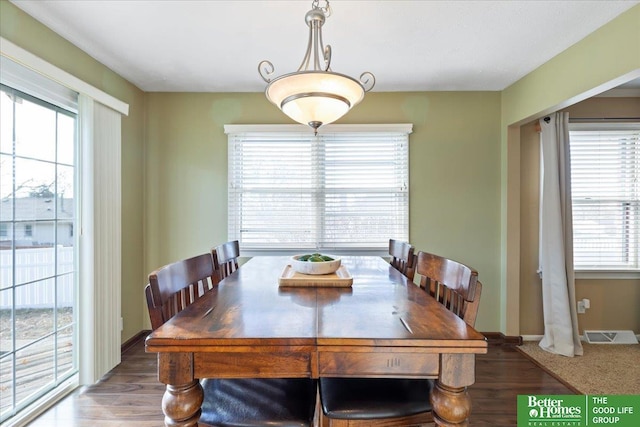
x,y
605,181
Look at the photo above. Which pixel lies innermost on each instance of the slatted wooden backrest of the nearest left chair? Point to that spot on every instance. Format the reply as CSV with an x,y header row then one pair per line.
x,y
175,286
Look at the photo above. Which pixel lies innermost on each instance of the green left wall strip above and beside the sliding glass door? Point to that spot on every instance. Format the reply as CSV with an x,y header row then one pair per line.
x,y
19,28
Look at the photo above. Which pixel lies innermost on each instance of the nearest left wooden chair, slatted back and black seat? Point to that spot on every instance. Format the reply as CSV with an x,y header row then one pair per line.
x,y
254,402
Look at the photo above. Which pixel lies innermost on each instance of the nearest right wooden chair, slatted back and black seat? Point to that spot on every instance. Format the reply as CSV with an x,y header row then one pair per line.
x,y
391,402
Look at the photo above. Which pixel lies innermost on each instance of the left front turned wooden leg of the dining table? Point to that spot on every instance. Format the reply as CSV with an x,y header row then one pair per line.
x,y
182,400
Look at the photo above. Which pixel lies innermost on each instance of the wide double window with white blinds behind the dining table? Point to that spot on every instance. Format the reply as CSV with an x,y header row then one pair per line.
x,y
345,190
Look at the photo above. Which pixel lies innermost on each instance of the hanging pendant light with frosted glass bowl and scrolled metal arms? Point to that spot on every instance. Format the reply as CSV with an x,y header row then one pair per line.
x,y
314,95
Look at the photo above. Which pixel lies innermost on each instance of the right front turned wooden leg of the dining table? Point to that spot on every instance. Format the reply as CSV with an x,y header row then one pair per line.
x,y
449,399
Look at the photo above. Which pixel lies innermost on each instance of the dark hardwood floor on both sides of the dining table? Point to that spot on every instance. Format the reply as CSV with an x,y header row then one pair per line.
x,y
130,395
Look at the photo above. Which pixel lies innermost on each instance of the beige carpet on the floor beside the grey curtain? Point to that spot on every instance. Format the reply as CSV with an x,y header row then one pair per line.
x,y
603,369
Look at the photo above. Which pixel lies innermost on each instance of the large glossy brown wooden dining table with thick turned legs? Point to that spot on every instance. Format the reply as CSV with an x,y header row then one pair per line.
x,y
381,326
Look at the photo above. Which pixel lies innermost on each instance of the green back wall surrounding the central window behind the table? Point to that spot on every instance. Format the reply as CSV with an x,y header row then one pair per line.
x,y
454,173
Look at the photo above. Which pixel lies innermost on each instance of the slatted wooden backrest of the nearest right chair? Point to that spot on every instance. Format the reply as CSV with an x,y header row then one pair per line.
x,y
451,283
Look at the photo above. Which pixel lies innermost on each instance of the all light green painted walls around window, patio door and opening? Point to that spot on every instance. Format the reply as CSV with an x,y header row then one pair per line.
x,y
174,155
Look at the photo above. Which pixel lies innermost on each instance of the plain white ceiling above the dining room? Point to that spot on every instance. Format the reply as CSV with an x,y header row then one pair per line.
x,y
215,46
